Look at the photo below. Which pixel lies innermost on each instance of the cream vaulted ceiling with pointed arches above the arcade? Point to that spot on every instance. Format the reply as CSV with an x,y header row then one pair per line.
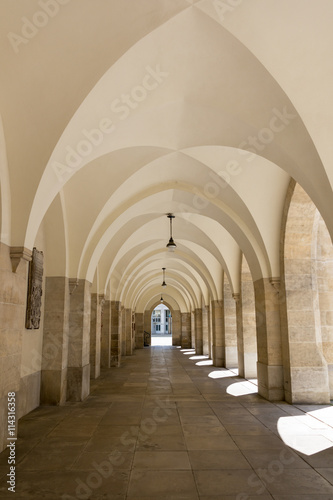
x,y
115,113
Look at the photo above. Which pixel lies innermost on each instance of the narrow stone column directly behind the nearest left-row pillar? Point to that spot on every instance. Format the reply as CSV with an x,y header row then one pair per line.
x,y
97,302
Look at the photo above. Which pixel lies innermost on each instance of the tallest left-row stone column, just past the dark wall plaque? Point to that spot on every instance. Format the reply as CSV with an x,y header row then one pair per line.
x,y
78,375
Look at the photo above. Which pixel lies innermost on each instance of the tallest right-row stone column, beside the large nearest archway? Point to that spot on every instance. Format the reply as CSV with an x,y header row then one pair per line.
x,y
270,365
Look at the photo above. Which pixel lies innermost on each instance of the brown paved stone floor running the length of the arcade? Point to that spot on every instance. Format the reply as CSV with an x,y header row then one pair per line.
x,y
168,425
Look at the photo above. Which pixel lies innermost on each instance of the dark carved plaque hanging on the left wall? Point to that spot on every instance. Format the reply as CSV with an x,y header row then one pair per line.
x,y
35,284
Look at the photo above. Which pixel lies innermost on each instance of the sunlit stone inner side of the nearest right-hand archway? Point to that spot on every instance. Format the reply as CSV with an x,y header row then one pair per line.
x,y
305,367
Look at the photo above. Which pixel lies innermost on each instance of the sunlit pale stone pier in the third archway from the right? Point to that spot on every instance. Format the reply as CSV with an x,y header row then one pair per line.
x,y
230,326
